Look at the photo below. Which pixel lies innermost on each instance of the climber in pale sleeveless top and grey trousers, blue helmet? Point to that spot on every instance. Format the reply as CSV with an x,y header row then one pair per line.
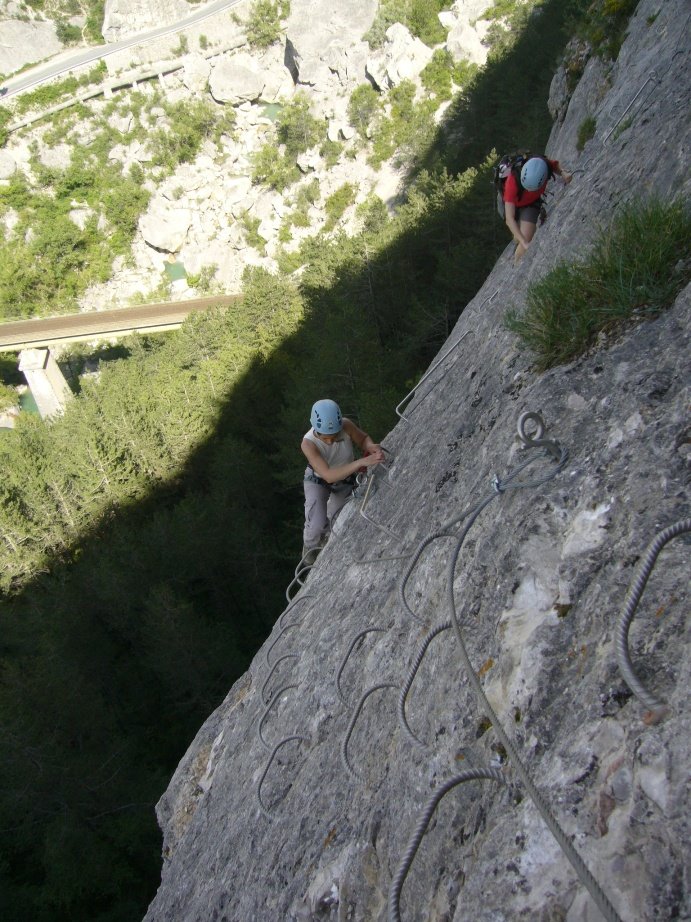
x,y
330,474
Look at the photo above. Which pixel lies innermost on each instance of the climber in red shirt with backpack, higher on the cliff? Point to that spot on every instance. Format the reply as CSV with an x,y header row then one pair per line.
x,y
522,196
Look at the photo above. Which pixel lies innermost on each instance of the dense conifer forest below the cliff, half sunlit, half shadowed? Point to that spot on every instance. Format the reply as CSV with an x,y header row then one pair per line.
x,y
148,535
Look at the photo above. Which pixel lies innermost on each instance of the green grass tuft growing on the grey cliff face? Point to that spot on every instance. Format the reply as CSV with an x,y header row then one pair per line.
x,y
635,270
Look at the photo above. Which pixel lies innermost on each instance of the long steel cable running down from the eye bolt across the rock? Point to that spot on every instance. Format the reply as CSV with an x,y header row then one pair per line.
x,y
579,866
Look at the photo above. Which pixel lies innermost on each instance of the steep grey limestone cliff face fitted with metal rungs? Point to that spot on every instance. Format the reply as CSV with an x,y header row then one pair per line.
x,y
316,829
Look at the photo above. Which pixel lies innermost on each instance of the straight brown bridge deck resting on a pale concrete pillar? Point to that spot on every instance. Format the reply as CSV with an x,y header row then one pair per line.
x,y
146,318
